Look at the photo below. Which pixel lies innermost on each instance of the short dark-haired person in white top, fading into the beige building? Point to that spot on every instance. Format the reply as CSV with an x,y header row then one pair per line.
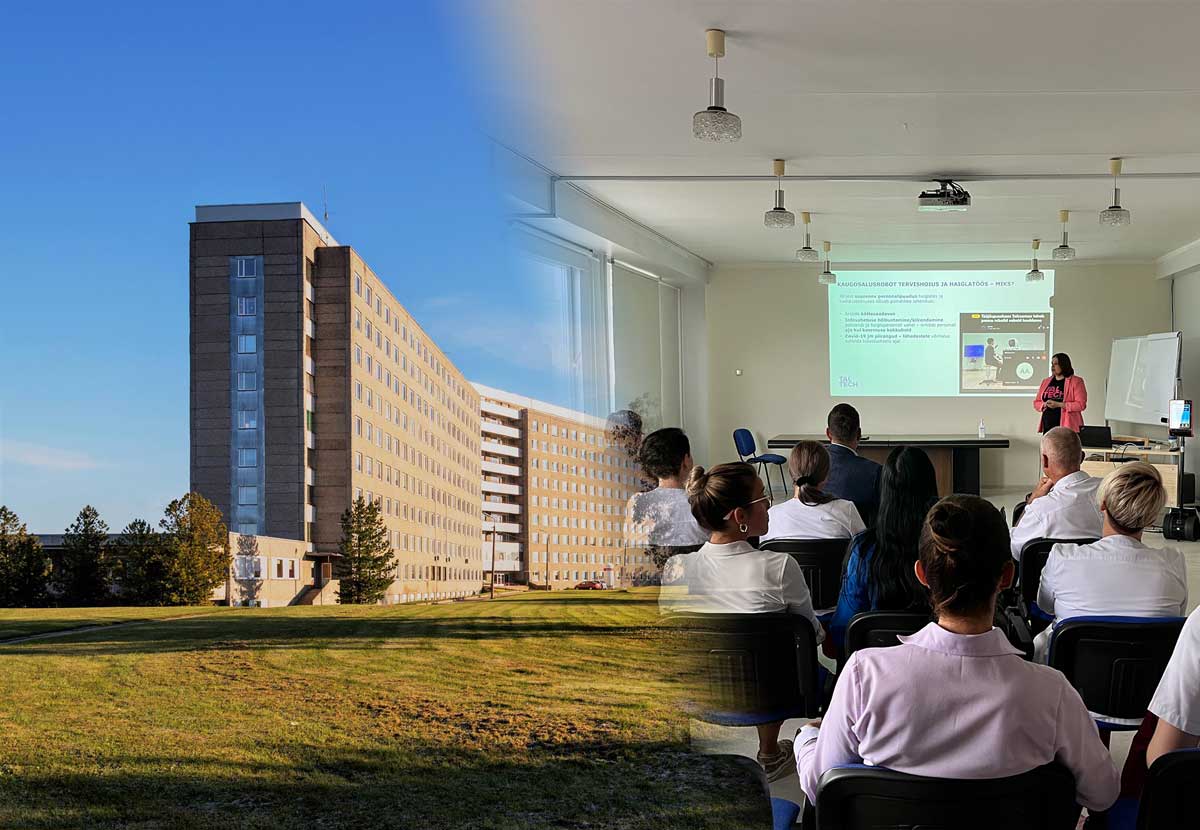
x,y
662,519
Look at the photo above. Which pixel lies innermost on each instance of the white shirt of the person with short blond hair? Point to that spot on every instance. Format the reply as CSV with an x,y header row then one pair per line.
x,y
1117,576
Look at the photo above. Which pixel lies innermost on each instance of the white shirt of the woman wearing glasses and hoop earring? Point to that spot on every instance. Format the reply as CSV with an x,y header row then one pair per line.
x,y
736,579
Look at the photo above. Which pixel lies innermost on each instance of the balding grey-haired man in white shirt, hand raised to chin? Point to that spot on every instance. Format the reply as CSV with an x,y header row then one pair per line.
x,y
1064,504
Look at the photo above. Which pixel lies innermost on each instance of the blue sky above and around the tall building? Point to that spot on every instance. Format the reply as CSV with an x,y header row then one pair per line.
x,y
121,118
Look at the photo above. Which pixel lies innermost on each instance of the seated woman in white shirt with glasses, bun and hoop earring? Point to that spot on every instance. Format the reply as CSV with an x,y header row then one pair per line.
x,y
730,576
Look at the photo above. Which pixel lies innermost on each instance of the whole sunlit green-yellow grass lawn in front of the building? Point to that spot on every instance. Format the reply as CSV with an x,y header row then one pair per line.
x,y
539,711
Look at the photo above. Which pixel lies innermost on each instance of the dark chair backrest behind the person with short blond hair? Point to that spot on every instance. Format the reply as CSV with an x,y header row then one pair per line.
x,y
1115,663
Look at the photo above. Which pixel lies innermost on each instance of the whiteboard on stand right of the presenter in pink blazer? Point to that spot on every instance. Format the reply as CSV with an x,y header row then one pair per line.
x,y
1142,378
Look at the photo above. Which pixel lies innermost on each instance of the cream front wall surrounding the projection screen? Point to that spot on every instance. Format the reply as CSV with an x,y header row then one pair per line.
x,y
771,321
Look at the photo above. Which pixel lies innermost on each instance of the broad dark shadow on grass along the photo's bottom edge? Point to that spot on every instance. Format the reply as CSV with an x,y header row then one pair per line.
x,y
652,786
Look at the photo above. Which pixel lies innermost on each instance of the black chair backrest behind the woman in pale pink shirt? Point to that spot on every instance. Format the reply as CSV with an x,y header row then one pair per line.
x,y
853,798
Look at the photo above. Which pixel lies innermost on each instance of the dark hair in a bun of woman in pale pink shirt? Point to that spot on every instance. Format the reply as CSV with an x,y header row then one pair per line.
x,y
964,550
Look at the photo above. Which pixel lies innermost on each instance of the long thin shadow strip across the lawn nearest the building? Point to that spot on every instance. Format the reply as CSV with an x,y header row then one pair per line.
x,y
269,631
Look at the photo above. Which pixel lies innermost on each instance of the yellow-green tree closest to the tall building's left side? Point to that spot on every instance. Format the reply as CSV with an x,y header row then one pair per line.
x,y
199,551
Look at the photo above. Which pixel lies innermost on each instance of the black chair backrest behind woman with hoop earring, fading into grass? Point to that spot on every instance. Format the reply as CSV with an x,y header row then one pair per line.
x,y
749,669
